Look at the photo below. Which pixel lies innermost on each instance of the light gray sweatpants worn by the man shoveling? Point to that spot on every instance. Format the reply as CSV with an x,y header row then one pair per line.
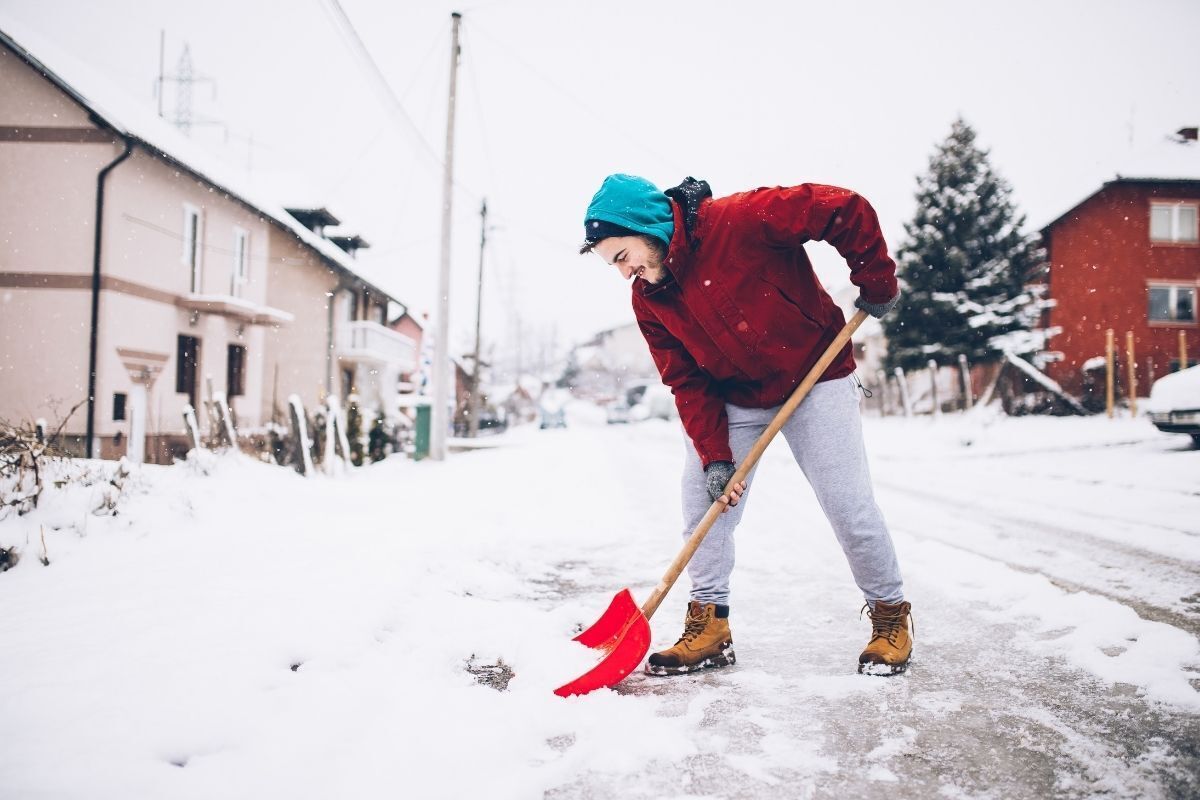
x,y
826,437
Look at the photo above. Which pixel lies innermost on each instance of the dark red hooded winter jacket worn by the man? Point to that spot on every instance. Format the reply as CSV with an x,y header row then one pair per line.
x,y
742,317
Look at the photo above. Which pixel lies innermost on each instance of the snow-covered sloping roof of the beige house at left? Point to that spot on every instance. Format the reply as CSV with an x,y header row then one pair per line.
x,y
112,109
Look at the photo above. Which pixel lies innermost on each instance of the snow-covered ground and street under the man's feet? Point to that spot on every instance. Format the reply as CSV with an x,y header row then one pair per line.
x,y
229,629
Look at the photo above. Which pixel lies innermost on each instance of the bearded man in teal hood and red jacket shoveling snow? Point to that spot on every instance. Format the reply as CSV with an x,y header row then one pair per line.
x,y
735,318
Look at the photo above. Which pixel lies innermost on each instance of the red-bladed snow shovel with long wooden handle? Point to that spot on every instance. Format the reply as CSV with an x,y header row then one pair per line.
x,y
623,631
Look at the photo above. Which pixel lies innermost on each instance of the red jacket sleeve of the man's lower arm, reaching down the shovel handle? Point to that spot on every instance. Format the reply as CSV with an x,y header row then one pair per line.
x,y
701,408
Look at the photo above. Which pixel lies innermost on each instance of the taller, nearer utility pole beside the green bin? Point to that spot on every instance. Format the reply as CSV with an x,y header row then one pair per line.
x,y
442,371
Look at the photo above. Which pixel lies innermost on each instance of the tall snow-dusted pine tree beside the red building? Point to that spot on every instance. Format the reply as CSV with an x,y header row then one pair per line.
x,y
967,267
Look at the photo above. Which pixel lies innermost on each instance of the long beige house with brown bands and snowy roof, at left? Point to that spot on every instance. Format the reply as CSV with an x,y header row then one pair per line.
x,y
137,278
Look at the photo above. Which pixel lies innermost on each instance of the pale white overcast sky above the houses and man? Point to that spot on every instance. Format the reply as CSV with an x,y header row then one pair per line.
x,y
556,95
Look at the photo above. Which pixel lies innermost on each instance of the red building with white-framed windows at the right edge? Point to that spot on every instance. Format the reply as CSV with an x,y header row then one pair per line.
x,y
1127,258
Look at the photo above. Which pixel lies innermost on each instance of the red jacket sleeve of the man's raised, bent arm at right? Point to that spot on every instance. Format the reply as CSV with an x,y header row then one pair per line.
x,y
795,215
